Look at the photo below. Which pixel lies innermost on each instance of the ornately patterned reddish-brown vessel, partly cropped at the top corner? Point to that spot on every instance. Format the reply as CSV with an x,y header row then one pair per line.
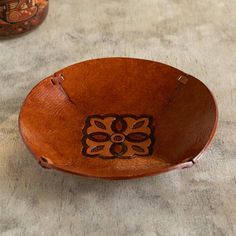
x,y
20,16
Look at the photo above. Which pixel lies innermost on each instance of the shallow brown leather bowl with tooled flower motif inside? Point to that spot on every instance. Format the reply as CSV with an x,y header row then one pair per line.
x,y
118,118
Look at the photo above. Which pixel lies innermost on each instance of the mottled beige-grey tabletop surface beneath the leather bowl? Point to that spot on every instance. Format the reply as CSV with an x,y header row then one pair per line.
x,y
198,37
